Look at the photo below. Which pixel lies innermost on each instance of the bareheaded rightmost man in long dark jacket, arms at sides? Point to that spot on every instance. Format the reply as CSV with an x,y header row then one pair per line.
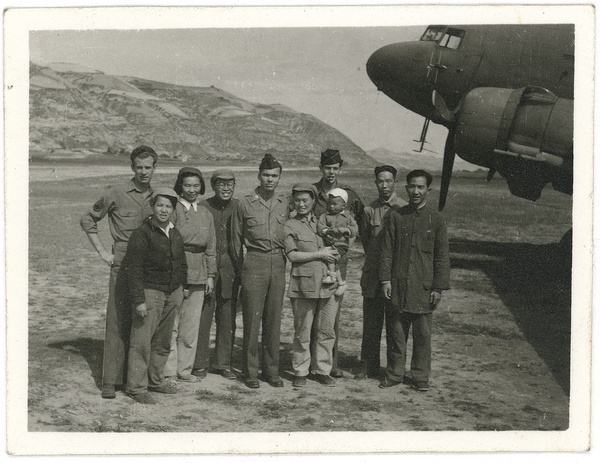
x,y
415,268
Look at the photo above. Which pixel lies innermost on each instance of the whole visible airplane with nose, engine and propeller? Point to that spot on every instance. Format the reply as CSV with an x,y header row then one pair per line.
x,y
505,92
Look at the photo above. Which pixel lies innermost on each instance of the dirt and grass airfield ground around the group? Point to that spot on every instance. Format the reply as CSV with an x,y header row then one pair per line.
x,y
500,344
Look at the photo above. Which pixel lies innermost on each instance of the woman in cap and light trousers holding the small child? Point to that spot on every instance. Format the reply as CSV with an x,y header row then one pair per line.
x,y
313,302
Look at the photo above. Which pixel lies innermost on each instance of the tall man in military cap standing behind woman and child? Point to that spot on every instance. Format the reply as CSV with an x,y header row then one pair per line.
x,y
331,167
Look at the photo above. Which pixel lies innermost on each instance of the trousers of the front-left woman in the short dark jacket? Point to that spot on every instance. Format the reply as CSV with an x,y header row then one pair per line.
x,y
151,340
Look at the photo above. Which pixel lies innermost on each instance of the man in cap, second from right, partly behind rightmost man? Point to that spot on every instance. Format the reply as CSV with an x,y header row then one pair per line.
x,y
374,304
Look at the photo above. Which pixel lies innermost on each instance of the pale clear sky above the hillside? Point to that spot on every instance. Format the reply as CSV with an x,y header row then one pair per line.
x,y
320,71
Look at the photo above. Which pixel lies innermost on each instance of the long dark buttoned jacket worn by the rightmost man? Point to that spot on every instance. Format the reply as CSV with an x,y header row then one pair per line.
x,y
414,257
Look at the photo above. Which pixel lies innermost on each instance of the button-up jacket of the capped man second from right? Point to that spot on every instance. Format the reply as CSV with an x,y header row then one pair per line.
x,y
373,220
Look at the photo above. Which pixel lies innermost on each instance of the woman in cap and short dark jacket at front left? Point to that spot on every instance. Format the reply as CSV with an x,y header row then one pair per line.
x,y
156,271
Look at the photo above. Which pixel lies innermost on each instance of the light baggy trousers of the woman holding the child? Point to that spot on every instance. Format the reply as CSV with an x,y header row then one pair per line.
x,y
318,314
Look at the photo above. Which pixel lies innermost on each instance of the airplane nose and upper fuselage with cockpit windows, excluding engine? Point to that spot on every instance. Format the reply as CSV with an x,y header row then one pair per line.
x,y
454,60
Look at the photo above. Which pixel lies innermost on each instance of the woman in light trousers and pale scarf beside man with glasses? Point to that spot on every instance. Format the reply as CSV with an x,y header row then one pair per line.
x,y
196,225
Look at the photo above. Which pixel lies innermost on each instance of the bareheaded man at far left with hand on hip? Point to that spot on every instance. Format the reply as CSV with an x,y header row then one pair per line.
x,y
126,205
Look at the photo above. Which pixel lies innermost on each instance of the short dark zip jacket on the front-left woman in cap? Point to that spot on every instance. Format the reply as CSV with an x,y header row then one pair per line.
x,y
154,261
